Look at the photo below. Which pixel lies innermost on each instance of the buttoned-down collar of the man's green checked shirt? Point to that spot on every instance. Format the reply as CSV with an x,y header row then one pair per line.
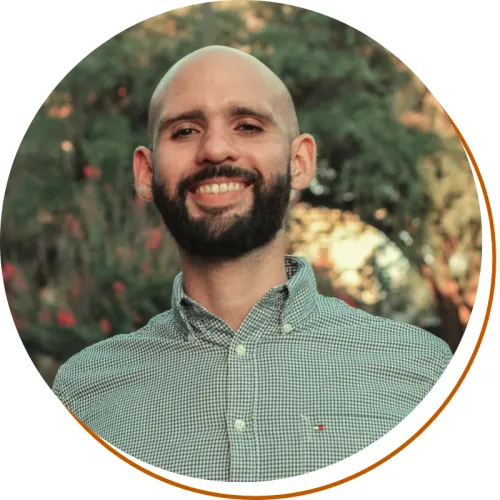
x,y
297,298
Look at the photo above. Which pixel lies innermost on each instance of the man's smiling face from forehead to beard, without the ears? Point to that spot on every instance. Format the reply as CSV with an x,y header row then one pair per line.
x,y
221,162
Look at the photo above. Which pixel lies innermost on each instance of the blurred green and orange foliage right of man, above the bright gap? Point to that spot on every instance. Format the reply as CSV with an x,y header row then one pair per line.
x,y
382,154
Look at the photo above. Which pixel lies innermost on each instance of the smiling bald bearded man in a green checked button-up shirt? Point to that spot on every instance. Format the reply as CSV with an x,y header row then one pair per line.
x,y
252,375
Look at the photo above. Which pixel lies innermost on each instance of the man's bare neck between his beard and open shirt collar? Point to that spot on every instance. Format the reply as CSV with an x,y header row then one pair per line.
x,y
230,288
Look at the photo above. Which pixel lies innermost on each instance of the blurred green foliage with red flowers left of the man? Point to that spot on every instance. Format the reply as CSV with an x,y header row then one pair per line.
x,y
83,238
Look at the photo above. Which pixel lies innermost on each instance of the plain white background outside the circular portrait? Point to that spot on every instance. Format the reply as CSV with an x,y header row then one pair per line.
x,y
452,46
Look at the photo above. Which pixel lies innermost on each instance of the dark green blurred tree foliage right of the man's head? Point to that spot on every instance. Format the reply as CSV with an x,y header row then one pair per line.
x,y
344,86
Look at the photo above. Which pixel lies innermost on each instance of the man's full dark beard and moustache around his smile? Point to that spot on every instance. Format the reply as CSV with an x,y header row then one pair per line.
x,y
225,236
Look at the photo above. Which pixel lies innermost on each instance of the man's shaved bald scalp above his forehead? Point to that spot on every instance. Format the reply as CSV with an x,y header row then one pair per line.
x,y
209,63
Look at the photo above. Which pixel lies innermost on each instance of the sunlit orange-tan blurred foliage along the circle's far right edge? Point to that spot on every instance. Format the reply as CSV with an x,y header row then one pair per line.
x,y
450,258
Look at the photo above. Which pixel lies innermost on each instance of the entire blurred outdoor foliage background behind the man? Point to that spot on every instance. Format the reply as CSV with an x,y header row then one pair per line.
x,y
391,223
